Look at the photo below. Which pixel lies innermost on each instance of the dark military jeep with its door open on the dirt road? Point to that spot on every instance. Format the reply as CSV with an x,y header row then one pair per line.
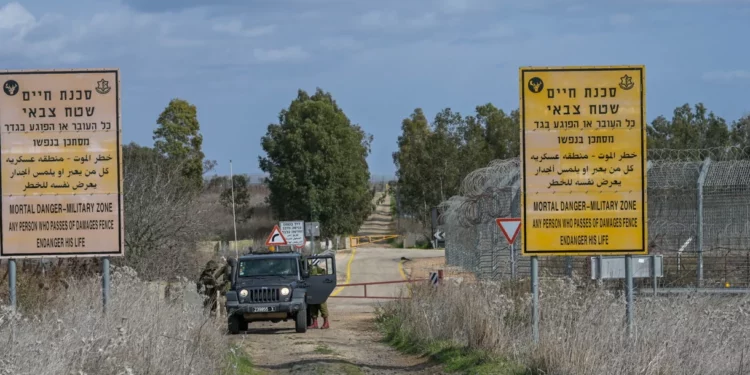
x,y
275,287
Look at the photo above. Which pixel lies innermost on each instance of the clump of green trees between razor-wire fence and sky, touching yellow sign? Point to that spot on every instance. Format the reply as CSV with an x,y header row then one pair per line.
x,y
432,160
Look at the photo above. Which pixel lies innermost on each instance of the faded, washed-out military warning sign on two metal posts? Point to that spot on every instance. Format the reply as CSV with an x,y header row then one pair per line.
x,y
61,167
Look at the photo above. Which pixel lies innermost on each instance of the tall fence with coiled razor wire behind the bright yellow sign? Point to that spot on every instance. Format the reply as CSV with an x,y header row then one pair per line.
x,y
698,220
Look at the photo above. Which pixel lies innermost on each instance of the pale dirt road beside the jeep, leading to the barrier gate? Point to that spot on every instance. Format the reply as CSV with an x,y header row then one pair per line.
x,y
352,345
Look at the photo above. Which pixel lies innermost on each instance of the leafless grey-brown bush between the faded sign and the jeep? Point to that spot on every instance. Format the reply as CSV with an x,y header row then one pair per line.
x,y
164,219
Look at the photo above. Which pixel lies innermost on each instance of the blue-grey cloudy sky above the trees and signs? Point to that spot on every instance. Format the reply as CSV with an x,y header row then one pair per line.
x,y
241,61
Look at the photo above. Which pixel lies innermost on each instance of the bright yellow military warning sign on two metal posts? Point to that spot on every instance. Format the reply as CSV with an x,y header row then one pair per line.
x,y
583,163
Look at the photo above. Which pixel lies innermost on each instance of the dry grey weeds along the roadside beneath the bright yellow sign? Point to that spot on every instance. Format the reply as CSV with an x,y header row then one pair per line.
x,y
582,328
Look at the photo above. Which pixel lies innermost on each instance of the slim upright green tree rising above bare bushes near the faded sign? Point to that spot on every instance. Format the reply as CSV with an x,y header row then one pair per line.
x,y
178,137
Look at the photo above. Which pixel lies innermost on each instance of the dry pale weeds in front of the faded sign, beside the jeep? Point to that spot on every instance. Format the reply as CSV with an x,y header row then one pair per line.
x,y
141,334
